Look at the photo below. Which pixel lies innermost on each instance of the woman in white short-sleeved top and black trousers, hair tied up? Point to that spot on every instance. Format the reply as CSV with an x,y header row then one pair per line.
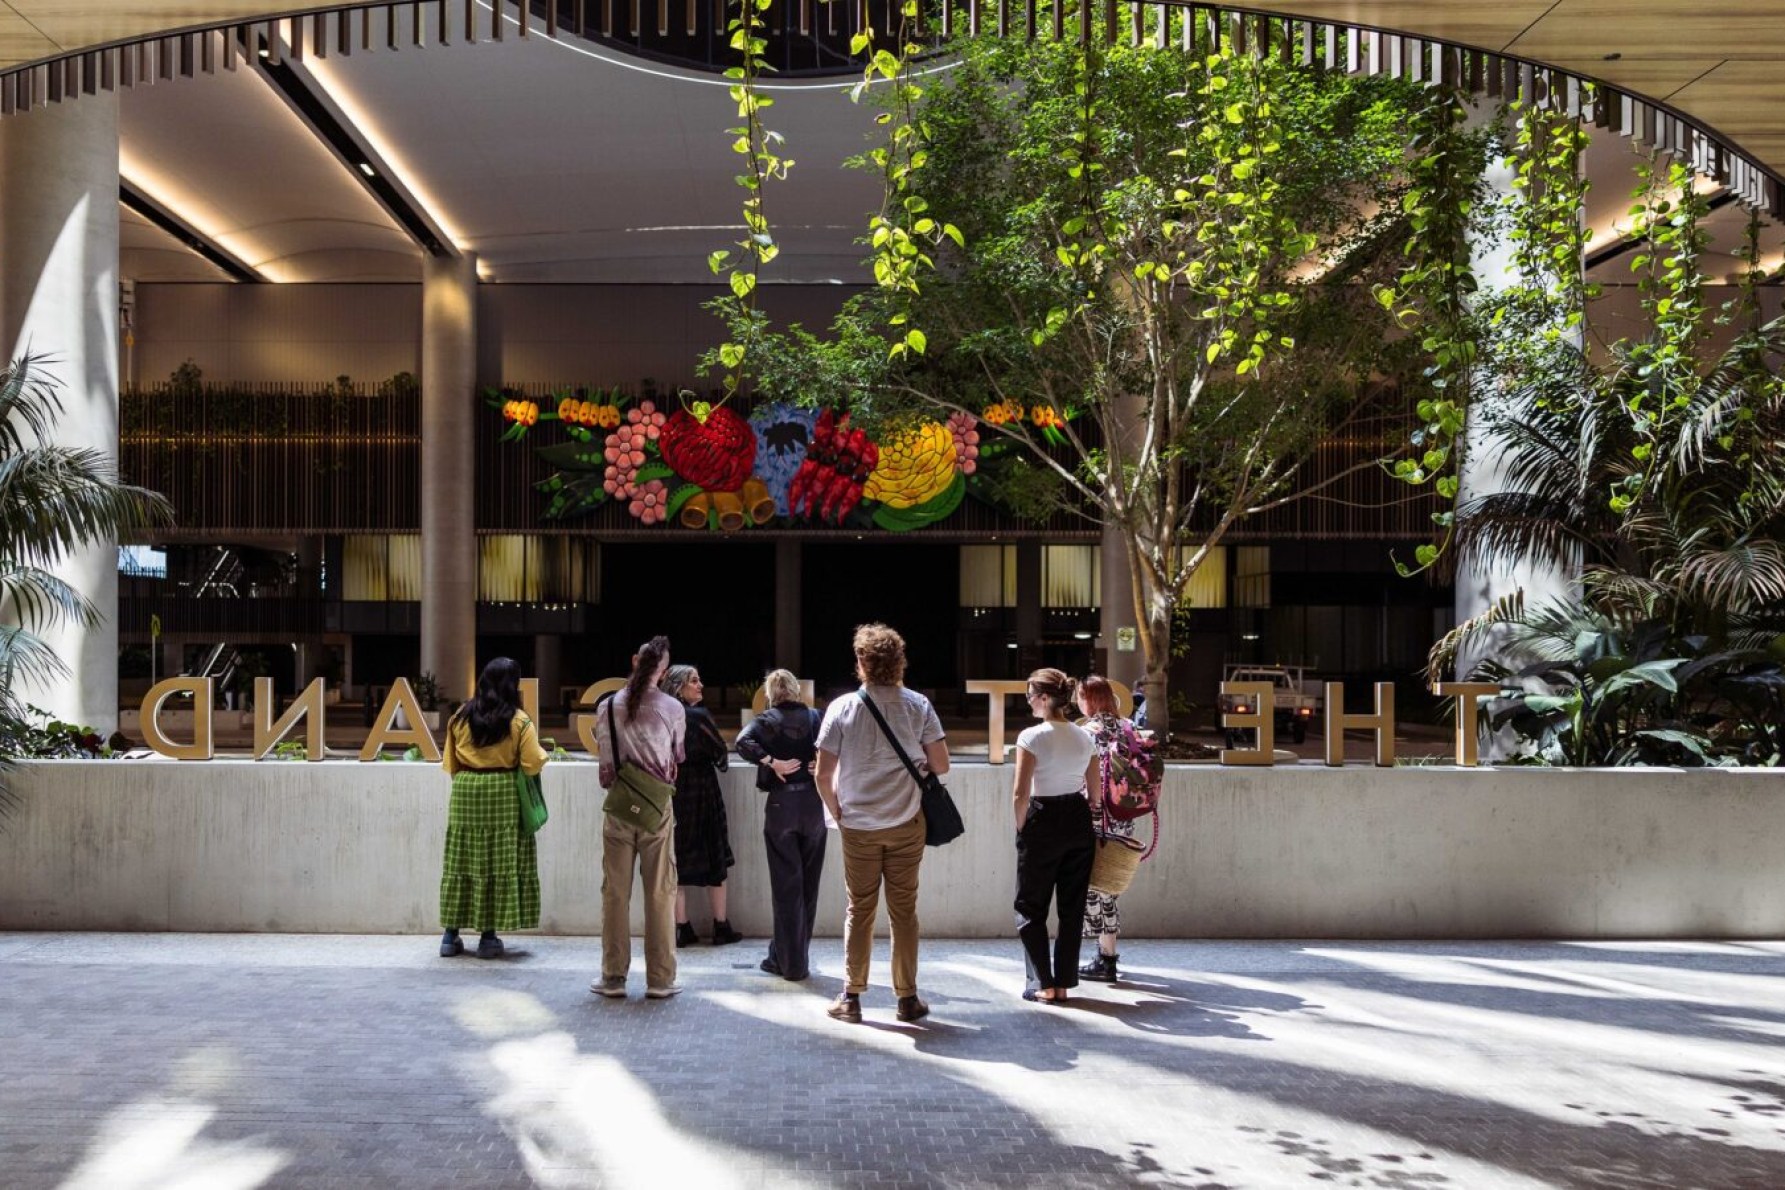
x,y
1056,784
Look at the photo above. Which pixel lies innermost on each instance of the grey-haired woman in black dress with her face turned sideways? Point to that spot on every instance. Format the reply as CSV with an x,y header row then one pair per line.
x,y
702,838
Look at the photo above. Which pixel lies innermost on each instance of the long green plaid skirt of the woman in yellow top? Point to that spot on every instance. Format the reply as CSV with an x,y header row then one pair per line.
x,y
490,877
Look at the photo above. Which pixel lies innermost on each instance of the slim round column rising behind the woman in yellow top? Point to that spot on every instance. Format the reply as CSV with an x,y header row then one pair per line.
x,y
449,525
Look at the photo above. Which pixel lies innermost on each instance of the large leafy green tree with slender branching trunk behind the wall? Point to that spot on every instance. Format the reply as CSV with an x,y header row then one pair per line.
x,y
1163,256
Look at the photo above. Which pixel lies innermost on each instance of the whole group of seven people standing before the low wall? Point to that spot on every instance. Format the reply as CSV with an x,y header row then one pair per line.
x,y
851,770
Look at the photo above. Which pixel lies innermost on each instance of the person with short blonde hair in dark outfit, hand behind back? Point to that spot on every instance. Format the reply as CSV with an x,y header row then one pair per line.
x,y
783,745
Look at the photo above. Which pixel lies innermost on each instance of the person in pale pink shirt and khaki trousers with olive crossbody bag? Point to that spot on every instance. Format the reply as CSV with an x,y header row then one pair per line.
x,y
642,736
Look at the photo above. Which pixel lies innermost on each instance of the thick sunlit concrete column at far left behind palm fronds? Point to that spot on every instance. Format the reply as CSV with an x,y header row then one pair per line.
x,y
60,299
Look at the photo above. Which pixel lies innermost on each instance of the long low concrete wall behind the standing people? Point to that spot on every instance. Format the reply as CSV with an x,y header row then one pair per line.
x,y
1293,852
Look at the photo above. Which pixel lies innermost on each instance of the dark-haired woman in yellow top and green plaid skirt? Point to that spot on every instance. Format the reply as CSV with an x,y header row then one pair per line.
x,y
490,875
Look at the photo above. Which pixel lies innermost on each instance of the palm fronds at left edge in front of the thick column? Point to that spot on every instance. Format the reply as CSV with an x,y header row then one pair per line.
x,y
54,500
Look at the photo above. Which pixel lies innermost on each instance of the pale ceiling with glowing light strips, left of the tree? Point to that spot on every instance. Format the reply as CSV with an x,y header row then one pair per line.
x,y
552,161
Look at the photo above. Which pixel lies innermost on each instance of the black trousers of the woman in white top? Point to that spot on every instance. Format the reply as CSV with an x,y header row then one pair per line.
x,y
1054,855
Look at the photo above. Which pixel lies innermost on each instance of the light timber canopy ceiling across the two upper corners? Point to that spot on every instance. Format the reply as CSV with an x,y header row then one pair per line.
x,y
1720,65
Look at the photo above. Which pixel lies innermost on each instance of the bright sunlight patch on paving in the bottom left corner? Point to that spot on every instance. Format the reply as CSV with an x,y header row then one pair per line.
x,y
158,1145
